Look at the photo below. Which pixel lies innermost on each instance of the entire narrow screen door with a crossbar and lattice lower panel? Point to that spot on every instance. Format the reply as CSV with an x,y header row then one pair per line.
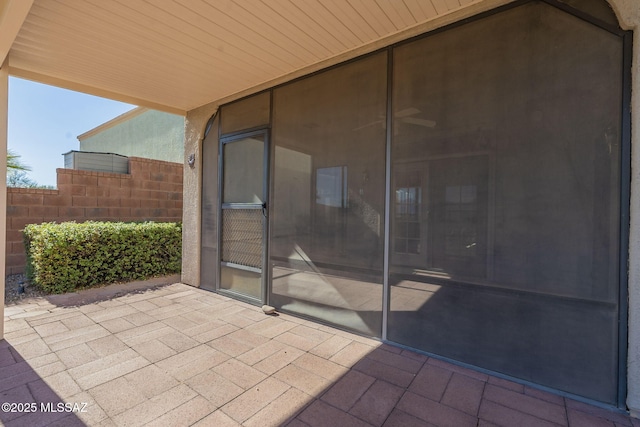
x,y
243,215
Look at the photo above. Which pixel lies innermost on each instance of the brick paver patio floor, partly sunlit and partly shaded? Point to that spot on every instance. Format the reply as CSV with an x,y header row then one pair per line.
x,y
175,355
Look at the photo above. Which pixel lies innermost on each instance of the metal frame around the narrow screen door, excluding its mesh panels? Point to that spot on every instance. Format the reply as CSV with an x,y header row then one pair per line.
x,y
265,273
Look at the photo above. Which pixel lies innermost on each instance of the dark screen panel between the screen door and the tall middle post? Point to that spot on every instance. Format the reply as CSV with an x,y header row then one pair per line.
x,y
327,214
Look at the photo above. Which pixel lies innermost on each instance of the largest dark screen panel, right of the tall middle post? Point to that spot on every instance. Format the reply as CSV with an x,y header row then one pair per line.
x,y
506,174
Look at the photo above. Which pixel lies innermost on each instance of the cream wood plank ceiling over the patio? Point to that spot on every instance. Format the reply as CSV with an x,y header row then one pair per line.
x,y
176,55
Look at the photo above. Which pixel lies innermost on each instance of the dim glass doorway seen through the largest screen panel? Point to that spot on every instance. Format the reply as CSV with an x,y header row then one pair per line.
x,y
440,220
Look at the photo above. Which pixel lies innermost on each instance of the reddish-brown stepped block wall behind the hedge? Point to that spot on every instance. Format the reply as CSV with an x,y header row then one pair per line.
x,y
152,191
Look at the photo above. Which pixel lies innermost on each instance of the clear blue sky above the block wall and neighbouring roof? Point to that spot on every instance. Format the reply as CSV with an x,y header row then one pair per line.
x,y
44,122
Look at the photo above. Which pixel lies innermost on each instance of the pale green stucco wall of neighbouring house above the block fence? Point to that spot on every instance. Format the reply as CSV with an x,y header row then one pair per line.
x,y
150,134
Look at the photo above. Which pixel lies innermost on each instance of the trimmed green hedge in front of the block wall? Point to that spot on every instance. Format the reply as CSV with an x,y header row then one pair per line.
x,y
64,257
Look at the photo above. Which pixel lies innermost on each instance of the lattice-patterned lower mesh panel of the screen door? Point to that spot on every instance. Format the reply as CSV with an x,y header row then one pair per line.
x,y
242,237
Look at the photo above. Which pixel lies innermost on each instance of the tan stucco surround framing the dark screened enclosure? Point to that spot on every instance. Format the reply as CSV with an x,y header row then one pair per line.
x,y
628,12
